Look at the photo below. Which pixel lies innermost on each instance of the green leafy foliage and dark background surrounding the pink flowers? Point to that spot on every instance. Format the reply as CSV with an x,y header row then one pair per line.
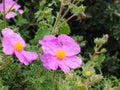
x,y
100,55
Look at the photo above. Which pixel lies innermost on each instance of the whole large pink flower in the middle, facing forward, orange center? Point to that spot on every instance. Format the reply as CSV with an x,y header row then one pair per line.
x,y
60,52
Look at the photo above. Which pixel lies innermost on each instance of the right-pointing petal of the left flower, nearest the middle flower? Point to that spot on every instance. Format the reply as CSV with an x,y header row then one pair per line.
x,y
29,56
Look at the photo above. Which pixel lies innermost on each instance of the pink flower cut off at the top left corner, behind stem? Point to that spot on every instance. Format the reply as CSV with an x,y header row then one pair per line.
x,y
10,7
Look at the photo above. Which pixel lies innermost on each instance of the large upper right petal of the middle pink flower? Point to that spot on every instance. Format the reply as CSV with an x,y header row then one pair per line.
x,y
69,45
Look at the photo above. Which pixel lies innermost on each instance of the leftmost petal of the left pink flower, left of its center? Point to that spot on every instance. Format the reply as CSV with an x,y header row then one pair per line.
x,y
7,47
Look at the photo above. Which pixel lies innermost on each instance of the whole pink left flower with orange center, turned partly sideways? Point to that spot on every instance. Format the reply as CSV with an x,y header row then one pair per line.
x,y
14,44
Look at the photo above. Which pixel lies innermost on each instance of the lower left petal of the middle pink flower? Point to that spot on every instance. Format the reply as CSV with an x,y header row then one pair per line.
x,y
49,62
